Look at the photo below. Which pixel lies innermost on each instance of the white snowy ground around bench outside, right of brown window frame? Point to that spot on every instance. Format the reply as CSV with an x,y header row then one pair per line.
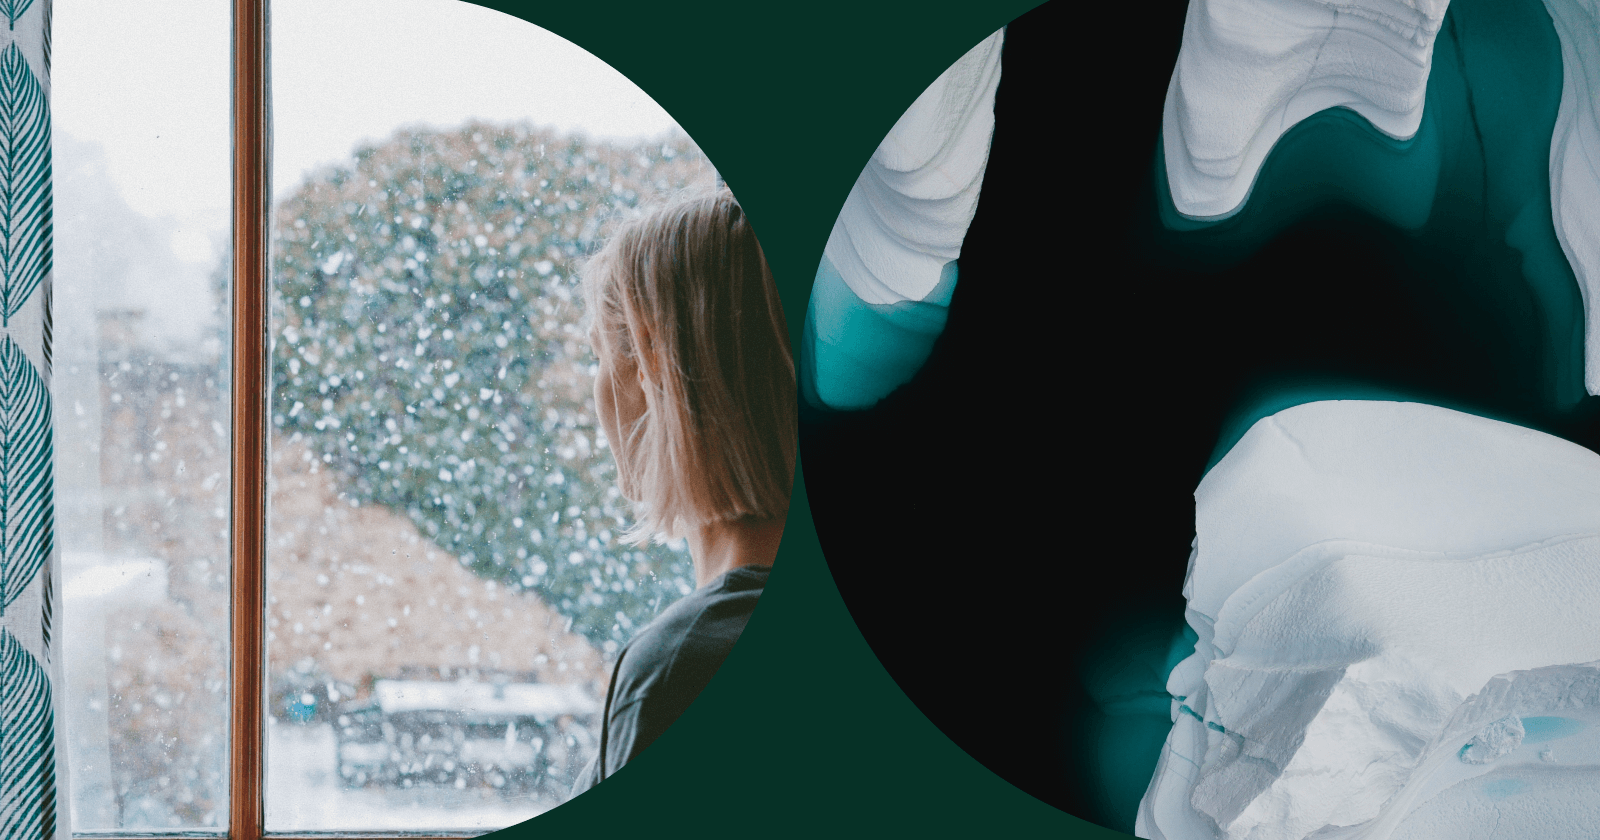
x,y
305,794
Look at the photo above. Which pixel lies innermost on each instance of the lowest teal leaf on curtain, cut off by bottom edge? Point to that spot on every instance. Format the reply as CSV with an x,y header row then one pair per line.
x,y
28,753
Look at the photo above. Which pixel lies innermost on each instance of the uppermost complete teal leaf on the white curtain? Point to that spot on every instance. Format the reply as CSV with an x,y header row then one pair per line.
x,y
25,183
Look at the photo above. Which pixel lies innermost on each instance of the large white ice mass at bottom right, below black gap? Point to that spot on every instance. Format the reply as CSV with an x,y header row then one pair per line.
x,y
1396,609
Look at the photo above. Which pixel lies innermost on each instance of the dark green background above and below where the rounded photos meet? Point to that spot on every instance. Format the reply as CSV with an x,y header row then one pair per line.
x,y
802,734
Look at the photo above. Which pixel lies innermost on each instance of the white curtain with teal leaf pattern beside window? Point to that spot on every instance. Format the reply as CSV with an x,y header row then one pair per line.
x,y
33,759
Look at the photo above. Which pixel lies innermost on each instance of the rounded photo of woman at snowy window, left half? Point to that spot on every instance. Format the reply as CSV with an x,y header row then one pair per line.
x,y
521,505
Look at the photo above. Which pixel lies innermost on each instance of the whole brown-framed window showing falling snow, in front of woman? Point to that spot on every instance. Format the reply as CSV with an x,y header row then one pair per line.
x,y
409,487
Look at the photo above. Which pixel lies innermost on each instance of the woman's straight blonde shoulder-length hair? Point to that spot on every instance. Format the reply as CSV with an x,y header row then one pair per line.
x,y
686,292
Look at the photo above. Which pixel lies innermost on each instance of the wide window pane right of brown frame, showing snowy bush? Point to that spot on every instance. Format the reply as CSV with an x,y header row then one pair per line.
x,y
446,577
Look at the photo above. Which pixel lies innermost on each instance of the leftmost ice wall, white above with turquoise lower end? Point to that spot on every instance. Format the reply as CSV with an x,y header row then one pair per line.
x,y
889,271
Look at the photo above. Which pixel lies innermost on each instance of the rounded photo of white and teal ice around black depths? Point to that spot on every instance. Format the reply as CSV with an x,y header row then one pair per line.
x,y
1206,438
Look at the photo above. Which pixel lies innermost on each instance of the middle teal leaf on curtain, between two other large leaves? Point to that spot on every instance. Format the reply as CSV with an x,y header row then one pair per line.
x,y
26,476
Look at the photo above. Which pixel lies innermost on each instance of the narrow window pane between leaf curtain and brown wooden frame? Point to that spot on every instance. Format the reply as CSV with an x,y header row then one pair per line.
x,y
142,218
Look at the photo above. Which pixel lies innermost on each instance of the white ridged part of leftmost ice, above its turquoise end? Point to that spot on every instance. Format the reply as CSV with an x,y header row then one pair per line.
x,y
911,207
